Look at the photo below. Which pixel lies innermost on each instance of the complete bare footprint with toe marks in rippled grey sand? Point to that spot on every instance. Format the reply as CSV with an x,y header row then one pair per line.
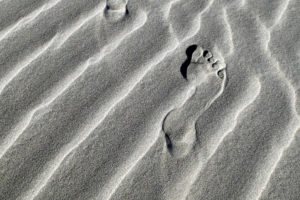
x,y
206,78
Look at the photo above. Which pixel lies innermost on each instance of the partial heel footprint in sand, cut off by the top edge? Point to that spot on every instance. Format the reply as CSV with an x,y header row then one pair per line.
x,y
115,10
